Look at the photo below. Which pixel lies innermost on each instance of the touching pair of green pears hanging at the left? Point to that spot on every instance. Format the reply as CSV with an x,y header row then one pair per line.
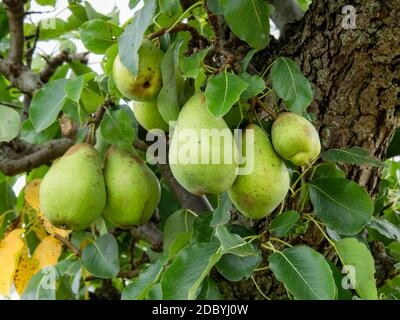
x,y
77,189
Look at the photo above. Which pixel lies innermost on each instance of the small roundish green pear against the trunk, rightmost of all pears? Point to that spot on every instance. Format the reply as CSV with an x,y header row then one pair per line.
x,y
295,139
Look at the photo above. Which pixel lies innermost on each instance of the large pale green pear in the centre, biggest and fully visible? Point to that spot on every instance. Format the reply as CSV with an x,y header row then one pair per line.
x,y
192,144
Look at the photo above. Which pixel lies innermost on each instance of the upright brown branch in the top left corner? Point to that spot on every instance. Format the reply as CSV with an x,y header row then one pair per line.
x,y
16,14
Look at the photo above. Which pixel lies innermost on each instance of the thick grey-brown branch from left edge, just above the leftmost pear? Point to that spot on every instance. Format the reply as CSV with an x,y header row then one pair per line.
x,y
19,156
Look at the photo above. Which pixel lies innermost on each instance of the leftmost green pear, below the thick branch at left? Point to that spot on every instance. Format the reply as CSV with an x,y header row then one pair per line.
x,y
72,193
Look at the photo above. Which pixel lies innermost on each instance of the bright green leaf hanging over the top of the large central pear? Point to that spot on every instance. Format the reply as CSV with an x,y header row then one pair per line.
x,y
223,91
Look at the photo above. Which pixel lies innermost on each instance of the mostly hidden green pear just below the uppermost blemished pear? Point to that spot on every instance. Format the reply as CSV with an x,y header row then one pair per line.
x,y
148,115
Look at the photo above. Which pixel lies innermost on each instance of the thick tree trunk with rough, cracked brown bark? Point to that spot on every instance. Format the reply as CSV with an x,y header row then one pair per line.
x,y
356,82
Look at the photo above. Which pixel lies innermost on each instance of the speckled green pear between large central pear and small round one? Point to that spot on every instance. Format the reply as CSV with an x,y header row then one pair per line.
x,y
257,193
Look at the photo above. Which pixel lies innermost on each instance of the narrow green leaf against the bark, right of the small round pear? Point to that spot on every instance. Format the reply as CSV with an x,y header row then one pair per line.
x,y
354,155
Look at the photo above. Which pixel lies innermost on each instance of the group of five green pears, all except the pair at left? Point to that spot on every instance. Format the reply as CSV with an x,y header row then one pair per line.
x,y
256,194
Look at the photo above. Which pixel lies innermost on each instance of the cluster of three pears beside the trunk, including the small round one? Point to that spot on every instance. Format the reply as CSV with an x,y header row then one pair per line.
x,y
255,194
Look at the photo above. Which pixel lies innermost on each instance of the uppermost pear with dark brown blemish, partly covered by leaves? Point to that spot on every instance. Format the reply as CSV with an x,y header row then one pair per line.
x,y
146,85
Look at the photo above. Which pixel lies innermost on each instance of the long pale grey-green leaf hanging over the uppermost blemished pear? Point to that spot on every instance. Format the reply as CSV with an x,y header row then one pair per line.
x,y
131,40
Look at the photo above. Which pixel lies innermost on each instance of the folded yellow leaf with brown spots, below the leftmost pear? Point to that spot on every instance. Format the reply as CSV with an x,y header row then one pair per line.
x,y
46,254
